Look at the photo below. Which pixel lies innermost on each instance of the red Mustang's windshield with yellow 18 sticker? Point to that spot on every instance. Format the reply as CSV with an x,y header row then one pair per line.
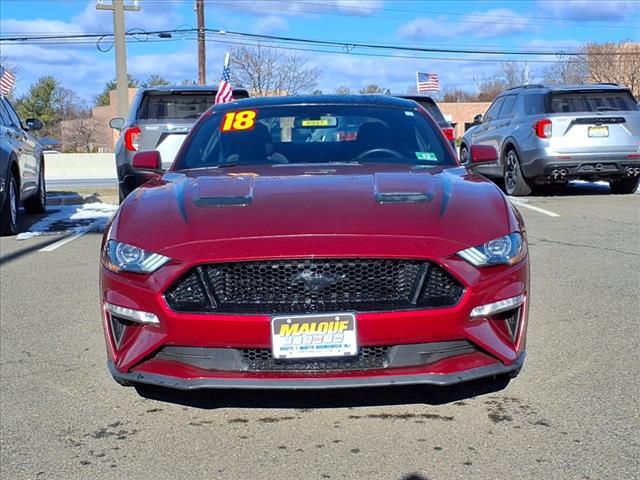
x,y
320,134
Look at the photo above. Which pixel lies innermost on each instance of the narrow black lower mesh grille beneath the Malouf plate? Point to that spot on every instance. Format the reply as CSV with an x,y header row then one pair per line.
x,y
261,359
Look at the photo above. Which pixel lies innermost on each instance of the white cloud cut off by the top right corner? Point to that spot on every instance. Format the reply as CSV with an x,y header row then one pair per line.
x,y
590,10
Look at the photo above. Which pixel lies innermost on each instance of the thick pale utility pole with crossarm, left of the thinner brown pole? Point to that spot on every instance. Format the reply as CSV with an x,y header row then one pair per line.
x,y
118,7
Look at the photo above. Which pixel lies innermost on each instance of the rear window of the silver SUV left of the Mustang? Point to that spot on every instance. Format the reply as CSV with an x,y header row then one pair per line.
x,y
176,106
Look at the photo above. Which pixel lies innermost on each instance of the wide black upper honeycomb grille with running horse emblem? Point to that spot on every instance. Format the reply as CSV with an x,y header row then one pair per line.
x,y
313,286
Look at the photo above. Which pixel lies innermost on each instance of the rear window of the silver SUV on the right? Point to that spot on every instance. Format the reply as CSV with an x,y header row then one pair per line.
x,y
593,101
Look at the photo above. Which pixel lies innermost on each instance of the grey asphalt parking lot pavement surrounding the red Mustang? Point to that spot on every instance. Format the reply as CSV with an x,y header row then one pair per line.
x,y
572,413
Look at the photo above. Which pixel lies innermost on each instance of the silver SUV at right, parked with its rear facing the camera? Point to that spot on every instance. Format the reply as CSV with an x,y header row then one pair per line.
x,y
553,134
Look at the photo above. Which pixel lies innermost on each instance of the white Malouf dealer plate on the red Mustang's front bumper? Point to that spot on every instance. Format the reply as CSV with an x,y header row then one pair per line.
x,y
312,336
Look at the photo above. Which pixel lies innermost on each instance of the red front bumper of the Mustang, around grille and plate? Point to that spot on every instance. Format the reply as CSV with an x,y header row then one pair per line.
x,y
139,355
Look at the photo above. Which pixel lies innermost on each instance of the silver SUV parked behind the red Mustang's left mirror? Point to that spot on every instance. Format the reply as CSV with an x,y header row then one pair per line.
x,y
159,119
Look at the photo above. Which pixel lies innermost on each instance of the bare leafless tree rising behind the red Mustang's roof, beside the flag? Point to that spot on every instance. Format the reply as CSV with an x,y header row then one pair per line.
x,y
267,71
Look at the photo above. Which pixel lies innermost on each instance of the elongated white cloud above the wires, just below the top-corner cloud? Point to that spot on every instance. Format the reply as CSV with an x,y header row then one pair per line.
x,y
492,23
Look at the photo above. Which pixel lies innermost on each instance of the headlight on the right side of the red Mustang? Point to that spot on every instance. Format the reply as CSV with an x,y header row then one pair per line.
x,y
507,250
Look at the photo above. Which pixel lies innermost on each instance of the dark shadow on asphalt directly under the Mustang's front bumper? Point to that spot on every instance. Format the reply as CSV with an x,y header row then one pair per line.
x,y
331,398
